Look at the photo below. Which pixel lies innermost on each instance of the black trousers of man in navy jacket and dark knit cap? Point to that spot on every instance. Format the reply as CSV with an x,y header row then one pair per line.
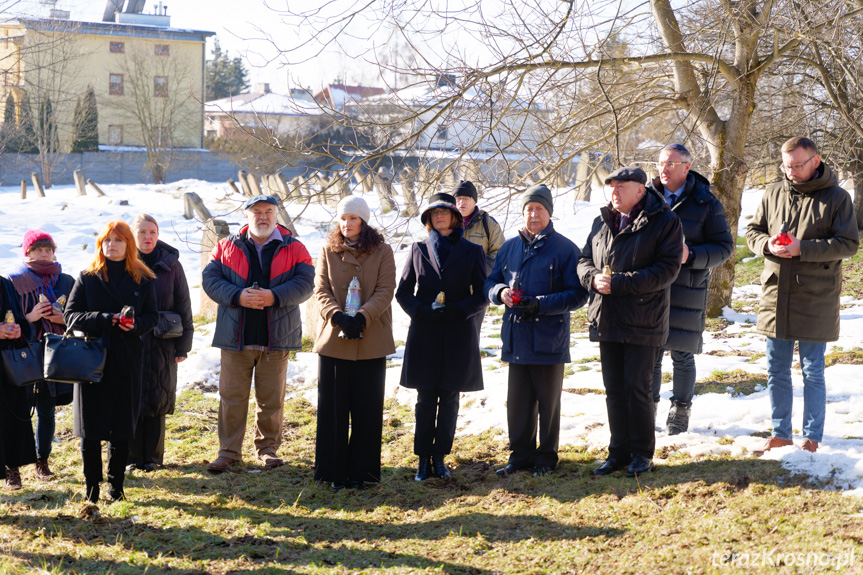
x,y
533,401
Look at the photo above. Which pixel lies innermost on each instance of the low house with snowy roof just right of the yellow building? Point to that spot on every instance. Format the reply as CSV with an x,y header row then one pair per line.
x,y
261,109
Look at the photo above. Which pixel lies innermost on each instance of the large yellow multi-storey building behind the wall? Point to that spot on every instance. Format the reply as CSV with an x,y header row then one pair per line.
x,y
148,77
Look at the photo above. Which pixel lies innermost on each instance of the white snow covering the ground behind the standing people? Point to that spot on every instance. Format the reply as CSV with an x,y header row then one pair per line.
x,y
721,423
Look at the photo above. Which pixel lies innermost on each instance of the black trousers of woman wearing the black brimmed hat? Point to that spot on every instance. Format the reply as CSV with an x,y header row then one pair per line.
x,y
436,420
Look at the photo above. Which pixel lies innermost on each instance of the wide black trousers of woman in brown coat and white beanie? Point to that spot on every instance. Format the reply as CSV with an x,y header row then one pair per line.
x,y
350,419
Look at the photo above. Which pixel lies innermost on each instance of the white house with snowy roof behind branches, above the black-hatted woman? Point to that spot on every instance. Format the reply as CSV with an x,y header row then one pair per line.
x,y
518,123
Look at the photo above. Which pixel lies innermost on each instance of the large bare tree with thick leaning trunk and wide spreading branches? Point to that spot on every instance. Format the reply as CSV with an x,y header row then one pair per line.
x,y
556,79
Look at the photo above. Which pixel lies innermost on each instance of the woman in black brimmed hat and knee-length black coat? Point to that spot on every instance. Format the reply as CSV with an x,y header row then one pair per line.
x,y
442,350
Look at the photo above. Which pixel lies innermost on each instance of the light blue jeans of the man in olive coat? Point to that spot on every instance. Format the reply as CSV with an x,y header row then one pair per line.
x,y
780,353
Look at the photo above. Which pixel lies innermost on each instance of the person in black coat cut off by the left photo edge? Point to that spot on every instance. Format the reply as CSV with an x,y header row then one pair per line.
x,y
17,444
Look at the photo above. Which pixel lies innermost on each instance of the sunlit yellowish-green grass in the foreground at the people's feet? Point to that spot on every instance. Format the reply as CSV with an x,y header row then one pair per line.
x,y
694,515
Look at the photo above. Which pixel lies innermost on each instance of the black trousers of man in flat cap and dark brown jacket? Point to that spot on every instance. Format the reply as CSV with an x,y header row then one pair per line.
x,y
627,372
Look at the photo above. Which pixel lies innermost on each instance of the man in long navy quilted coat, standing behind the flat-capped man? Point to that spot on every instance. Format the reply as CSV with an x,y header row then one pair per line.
x,y
707,243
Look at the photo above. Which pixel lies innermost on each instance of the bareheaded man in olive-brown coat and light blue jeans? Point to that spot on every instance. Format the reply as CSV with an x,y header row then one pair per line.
x,y
804,227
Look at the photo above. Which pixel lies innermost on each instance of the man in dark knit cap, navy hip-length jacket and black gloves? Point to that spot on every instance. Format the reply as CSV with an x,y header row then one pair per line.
x,y
541,264
